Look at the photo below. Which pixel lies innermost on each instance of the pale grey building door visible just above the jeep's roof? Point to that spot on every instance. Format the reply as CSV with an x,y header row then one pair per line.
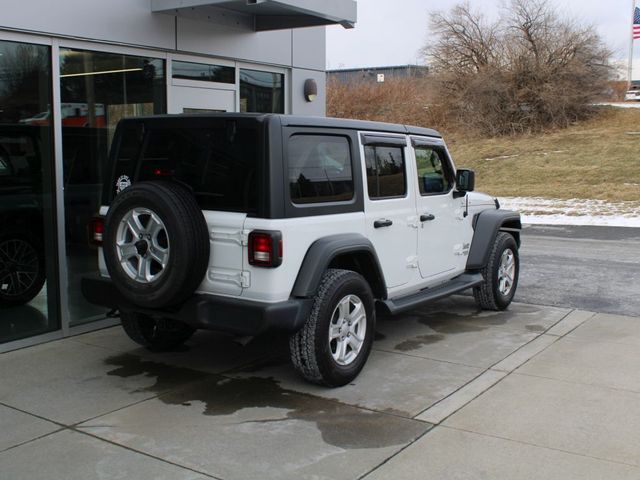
x,y
201,100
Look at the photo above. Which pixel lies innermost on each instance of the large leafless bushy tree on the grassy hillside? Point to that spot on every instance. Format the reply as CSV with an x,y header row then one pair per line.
x,y
529,70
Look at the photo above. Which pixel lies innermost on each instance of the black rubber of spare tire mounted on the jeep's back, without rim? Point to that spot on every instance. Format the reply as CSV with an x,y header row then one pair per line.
x,y
185,235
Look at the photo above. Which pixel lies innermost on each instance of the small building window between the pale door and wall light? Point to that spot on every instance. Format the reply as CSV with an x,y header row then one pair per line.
x,y
261,92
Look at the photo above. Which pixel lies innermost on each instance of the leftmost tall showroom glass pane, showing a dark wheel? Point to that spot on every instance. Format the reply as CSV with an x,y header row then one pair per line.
x,y
28,286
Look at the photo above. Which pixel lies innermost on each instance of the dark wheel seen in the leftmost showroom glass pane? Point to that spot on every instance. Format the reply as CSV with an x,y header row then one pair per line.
x,y
22,267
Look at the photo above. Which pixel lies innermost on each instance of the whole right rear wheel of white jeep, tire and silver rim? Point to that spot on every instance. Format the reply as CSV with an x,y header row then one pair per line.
x,y
334,344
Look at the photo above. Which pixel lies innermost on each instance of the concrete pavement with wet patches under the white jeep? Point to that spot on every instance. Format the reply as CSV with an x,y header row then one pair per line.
x,y
96,406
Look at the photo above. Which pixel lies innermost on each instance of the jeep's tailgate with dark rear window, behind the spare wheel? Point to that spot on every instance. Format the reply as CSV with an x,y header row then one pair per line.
x,y
217,159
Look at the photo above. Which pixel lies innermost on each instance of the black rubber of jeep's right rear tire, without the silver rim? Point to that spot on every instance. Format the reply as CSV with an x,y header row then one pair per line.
x,y
310,347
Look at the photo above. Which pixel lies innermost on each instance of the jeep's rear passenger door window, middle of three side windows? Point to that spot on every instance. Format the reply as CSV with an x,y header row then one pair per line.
x,y
386,175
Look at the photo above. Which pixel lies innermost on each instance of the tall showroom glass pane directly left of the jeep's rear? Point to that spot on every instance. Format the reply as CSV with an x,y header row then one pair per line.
x,y
97,89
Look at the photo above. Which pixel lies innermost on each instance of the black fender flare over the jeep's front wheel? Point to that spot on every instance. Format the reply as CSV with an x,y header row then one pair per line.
x,y
486,226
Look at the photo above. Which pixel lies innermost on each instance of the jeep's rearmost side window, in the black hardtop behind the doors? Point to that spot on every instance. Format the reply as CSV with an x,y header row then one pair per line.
x,y
319,169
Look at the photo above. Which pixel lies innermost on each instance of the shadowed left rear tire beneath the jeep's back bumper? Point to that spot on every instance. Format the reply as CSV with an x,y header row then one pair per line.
x,y
157,334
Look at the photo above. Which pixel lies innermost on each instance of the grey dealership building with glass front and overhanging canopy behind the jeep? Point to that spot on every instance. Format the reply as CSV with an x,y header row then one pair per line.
x,y
70,72
